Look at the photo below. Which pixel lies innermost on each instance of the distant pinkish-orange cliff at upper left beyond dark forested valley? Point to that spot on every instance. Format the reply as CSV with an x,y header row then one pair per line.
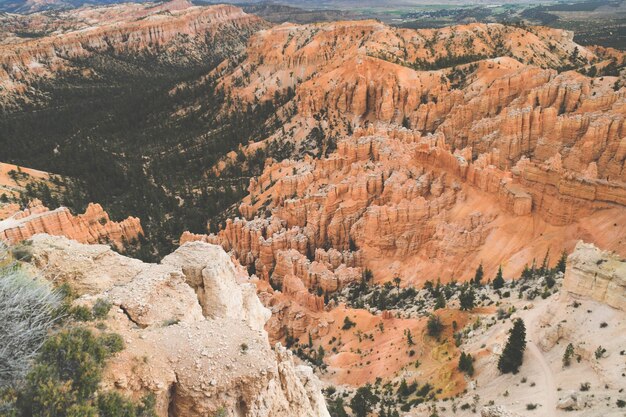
x,y
174,34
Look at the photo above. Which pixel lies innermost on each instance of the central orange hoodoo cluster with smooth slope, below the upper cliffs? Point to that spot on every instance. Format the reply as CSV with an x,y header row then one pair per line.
x,y
402,204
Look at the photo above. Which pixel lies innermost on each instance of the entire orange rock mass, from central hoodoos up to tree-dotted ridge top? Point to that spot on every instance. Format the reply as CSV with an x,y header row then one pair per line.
x,y
498,142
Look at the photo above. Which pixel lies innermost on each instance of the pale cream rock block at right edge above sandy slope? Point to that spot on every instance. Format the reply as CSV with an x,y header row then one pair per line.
x,y
596,274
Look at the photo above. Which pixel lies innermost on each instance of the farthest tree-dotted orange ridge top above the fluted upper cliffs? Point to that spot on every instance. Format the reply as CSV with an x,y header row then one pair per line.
x,y
289,55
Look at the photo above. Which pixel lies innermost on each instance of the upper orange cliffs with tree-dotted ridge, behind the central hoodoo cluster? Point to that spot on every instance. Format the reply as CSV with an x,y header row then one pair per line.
x,y
480,86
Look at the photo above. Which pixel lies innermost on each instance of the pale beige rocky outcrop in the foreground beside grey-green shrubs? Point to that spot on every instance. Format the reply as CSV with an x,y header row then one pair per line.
x,y
198,359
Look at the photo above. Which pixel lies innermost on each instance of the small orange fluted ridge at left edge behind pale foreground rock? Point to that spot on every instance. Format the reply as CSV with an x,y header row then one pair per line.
x,y
94,226
